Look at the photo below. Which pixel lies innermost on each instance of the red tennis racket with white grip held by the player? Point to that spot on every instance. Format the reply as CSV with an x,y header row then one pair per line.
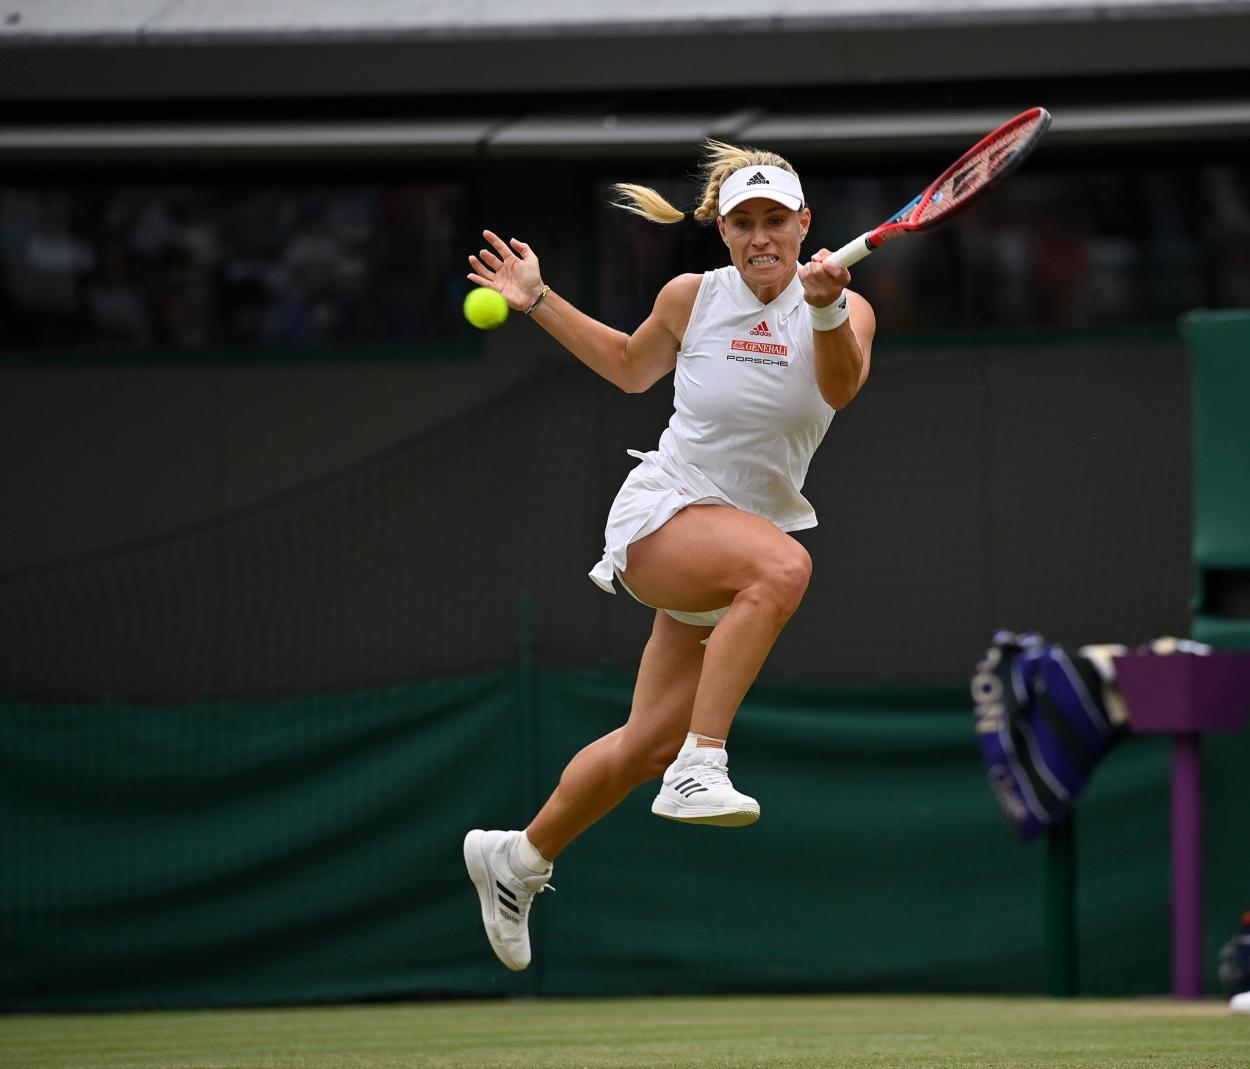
x,y
979,169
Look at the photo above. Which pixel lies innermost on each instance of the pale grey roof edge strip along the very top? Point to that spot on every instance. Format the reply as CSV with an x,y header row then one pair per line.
x,y
119,23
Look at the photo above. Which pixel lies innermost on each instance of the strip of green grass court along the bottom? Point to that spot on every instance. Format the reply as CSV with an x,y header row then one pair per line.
x,y
736,1033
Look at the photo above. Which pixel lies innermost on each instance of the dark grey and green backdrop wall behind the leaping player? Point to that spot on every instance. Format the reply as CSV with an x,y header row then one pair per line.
x,y
244,738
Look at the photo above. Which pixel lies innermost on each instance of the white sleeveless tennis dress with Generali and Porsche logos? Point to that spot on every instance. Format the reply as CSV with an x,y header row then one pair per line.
x,y
748,418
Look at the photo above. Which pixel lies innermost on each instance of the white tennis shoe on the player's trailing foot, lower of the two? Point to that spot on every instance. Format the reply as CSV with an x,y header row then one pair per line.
x,y
507,890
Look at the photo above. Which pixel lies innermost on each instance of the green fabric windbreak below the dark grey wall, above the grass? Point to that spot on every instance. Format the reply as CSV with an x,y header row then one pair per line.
x,y
309,848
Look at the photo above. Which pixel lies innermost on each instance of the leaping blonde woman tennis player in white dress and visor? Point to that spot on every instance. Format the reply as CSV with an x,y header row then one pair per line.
x,y
766,351
